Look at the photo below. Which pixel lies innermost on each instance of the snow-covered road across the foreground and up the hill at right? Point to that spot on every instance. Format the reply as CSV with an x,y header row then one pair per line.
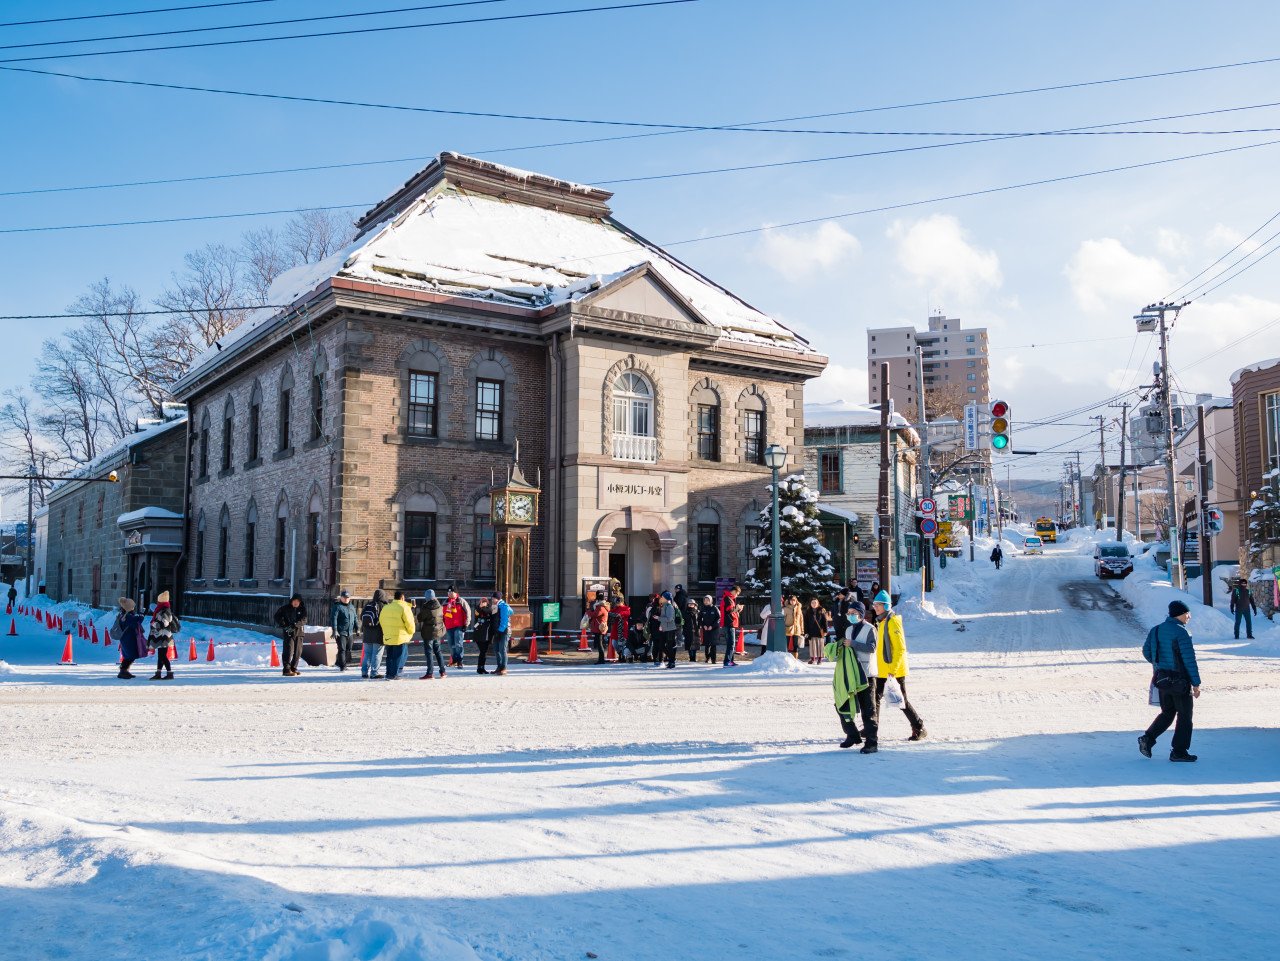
x,y
643,814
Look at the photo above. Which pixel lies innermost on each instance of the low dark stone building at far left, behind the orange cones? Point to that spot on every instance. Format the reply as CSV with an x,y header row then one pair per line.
x,y
86,556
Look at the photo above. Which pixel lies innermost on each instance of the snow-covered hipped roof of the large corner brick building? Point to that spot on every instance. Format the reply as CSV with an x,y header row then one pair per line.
x,y
451,231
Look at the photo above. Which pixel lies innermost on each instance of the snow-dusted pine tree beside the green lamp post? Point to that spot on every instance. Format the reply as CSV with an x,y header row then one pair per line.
x,y
806,562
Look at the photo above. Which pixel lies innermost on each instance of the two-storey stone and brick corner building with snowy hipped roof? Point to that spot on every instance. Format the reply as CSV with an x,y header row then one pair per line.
x,y
351,440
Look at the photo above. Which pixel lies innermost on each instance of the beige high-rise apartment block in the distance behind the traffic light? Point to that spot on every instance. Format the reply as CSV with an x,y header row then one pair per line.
x,y
954,359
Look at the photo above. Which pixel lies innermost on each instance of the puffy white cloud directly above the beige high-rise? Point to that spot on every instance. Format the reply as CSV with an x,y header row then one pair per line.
x,y
938,254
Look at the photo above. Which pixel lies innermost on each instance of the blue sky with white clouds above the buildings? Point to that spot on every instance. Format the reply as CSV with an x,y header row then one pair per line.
x,y
1060,263
